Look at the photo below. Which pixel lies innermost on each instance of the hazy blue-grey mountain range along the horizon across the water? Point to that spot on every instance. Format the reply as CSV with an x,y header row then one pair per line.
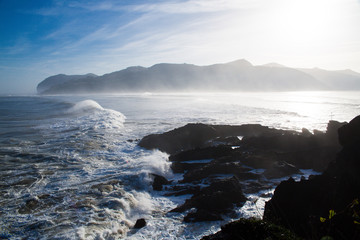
x,y
239,75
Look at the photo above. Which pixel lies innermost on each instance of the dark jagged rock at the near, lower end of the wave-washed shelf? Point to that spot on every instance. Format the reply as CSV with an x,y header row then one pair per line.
x,y
217,199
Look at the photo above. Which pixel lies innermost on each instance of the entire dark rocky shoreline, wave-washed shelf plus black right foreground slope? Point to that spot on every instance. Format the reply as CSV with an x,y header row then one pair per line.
x,y
221,164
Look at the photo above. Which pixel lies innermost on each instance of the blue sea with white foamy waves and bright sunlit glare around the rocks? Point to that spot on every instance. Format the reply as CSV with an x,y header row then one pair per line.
x,y
70,167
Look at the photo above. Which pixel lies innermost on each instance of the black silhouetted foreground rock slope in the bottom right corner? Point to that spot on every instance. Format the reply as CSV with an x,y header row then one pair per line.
x,y
299,205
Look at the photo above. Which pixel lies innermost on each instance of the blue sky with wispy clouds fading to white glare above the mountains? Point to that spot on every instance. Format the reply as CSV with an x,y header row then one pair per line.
x,y
41,38
